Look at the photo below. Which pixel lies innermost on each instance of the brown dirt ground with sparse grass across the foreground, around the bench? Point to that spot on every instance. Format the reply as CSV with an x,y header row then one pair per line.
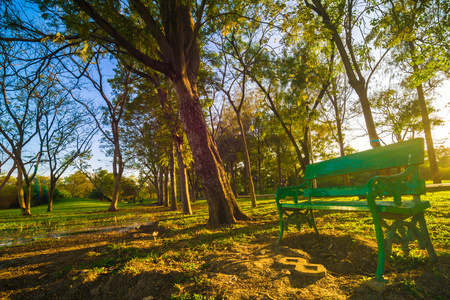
x,y
141,264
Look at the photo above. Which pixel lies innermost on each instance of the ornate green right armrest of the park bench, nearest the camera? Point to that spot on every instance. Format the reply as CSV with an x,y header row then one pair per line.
x,y
393,185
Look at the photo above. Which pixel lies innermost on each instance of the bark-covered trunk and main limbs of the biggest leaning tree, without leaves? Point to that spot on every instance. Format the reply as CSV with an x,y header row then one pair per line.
x,y
178,49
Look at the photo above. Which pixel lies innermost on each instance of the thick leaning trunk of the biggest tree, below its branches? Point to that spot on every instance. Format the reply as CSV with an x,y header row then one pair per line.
x,y
223,208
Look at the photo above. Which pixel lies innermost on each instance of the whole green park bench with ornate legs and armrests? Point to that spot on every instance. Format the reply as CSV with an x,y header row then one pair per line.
x,y
395,219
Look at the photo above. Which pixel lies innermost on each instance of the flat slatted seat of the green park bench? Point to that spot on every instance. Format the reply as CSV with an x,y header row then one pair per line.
x,y
407,208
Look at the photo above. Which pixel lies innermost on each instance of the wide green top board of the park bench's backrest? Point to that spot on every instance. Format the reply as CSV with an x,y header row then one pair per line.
x,y
391,156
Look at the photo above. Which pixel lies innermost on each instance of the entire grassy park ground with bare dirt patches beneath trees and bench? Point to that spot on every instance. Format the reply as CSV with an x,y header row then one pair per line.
x,y
180,257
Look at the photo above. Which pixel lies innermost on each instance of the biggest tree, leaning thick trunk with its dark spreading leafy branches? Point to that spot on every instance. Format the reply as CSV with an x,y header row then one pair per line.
x,y
174,51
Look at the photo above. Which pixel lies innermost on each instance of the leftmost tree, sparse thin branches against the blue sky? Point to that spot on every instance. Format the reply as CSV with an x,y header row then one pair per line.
x,y
24,89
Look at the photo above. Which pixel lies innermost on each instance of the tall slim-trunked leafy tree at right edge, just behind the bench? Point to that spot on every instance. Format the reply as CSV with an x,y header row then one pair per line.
x,y
419,35
